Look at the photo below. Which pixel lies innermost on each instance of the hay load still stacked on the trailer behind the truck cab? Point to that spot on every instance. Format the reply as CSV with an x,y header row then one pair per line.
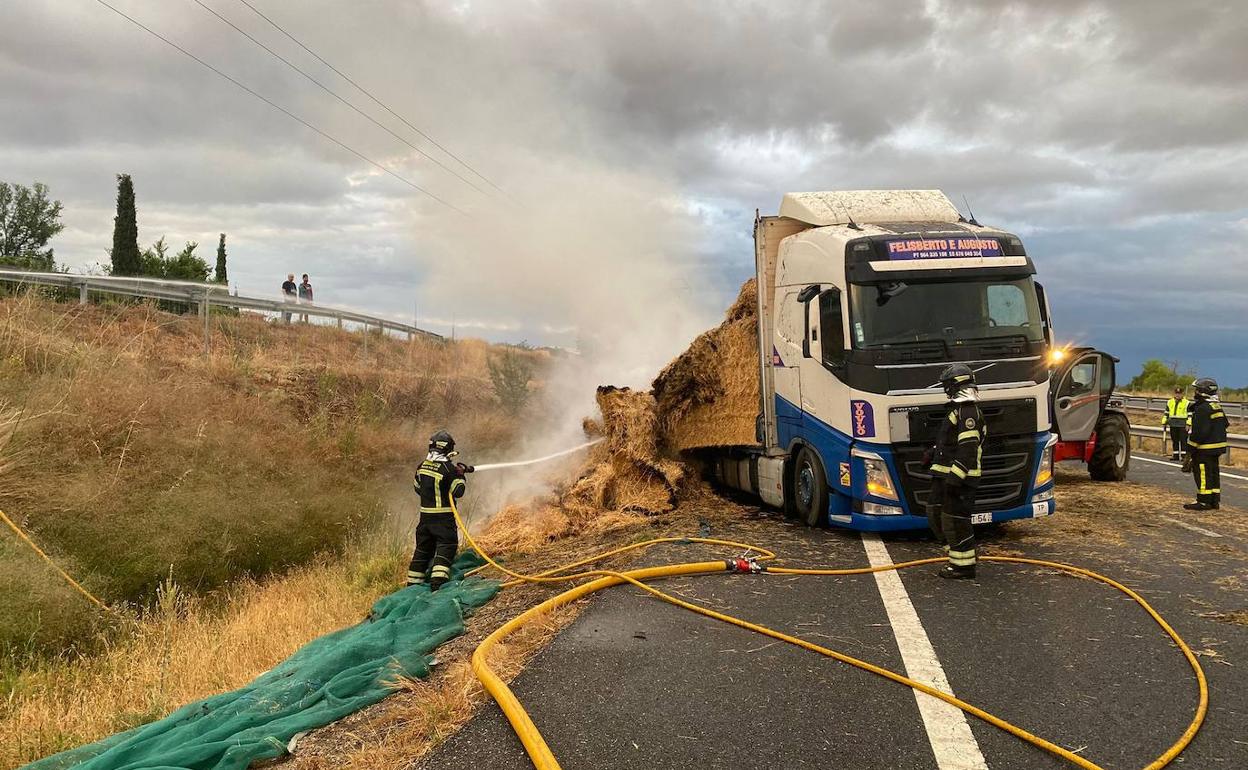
x,y
709,395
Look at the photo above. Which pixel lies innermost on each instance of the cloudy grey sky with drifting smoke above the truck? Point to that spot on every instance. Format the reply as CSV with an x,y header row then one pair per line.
x,y
623,149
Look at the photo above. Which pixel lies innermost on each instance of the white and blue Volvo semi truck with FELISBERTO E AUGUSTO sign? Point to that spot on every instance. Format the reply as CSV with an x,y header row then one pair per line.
x,y
864,298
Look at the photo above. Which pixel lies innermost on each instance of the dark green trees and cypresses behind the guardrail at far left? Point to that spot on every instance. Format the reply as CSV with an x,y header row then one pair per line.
x,y
29,220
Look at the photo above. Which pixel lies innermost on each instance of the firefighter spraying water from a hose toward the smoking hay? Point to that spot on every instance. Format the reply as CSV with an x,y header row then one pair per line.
x,y
437,481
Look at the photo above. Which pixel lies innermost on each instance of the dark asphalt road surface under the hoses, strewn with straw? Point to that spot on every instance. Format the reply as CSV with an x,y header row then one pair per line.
x,y
637,683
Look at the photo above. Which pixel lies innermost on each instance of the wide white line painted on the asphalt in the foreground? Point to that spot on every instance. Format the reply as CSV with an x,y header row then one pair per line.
x,y
948,731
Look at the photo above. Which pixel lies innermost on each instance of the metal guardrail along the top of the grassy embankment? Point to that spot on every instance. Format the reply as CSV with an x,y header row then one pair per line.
x,y
204,296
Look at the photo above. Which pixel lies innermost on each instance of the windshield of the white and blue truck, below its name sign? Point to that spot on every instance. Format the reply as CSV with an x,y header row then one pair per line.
x,y
950,311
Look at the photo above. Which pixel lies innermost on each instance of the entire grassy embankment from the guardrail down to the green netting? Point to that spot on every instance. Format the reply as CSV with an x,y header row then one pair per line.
x,y
139,464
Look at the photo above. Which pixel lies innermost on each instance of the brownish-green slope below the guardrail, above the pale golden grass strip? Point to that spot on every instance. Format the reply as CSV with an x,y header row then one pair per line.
x,y
149,456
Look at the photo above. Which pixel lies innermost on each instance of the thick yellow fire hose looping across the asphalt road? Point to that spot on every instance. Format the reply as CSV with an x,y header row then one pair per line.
x,y
542,757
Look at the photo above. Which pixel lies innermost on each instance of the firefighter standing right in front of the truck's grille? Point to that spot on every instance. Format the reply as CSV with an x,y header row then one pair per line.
x,y
957,471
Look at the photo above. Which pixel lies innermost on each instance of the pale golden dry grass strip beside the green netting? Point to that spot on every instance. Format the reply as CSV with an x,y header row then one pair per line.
x,y
187,650
